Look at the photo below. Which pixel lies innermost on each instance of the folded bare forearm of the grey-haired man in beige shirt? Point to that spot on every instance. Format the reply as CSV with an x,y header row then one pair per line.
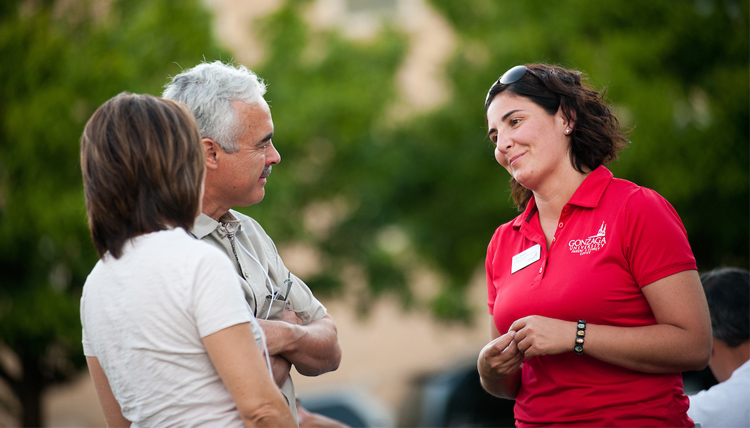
x,y
313,348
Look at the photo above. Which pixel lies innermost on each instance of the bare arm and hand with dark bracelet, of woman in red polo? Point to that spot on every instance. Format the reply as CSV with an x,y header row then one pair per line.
x,y
679,341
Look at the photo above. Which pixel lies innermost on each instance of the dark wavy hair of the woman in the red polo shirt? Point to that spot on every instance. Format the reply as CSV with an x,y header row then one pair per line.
x,y
596,138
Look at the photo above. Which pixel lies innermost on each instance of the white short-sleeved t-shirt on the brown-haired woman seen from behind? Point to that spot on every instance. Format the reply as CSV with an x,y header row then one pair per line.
x,y
143,317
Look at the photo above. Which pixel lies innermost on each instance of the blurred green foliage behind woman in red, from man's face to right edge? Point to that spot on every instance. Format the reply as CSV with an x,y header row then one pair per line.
x,y
428,193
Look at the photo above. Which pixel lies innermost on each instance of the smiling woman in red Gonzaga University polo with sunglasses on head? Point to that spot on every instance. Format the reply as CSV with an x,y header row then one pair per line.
x,y
595,301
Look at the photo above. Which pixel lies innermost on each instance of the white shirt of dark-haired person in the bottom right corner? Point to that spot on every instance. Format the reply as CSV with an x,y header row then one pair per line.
x,y
726,404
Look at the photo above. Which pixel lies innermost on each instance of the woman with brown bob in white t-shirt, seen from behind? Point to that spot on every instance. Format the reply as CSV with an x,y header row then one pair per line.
x,y
167,334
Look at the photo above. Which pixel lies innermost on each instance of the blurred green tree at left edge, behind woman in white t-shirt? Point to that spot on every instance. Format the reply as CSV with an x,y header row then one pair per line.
x,y
61,60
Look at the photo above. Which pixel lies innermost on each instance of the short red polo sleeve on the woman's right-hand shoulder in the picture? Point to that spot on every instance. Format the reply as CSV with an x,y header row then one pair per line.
x,y
657,244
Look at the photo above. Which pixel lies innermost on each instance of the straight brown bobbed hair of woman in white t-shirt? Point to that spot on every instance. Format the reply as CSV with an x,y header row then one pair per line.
x,y
142,166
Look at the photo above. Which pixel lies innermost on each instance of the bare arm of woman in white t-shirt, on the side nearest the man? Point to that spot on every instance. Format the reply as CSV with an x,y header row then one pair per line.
x,y
244,372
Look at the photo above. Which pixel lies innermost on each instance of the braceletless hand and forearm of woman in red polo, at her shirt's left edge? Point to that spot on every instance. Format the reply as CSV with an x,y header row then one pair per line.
x,y
500,363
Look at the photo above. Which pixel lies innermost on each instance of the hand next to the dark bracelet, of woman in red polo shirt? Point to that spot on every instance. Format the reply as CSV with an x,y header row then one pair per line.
x,y
537,335
